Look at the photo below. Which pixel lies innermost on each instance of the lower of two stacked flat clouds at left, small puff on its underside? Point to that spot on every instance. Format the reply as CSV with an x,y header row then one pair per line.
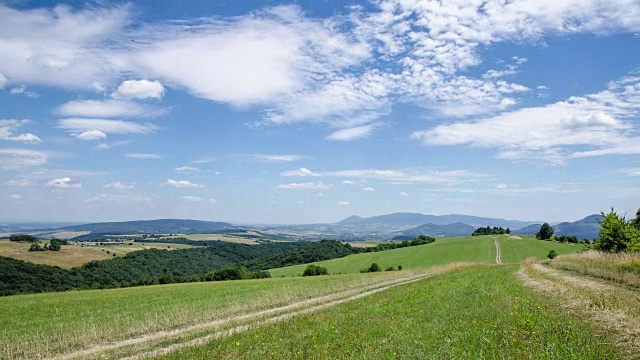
x,y
95,129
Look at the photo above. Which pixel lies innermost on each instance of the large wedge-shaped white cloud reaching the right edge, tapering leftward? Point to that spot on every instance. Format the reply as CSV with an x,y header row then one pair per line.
x,y
556,132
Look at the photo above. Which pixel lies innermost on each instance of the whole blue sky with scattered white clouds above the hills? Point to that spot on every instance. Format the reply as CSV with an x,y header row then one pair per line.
x,y
308,111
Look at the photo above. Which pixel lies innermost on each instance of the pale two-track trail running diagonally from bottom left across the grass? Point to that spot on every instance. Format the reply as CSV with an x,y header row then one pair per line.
x,y
155,344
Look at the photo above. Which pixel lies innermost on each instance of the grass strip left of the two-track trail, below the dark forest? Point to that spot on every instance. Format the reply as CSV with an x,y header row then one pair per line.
x,y
44,325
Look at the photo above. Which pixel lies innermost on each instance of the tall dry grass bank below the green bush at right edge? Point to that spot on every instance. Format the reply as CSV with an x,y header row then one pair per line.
x,y
623,268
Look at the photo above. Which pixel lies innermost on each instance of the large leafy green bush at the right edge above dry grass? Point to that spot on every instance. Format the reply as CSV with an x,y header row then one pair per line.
x,y
617,234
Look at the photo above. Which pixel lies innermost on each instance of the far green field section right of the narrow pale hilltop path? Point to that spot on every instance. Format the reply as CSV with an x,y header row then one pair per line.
x,y
518,250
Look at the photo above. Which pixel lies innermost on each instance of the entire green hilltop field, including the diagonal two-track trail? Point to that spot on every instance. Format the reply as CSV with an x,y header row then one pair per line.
x,y
457,311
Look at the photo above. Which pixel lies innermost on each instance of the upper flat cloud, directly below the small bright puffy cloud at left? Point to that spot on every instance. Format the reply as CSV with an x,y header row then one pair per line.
x,y
111,108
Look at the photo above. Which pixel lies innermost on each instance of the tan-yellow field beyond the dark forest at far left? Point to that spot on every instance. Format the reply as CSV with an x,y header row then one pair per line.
x,y
74,255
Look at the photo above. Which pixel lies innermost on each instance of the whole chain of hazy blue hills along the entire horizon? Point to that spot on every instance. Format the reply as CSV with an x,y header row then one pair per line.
x,y
397,226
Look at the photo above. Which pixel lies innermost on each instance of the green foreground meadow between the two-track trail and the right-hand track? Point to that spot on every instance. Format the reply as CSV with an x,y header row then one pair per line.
x,y
475,313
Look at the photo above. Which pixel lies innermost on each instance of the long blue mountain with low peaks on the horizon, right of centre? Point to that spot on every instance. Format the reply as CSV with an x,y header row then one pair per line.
x,y
415,219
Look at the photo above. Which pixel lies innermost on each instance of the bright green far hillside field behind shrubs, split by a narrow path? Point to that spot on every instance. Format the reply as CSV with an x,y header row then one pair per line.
x,y
443,251
